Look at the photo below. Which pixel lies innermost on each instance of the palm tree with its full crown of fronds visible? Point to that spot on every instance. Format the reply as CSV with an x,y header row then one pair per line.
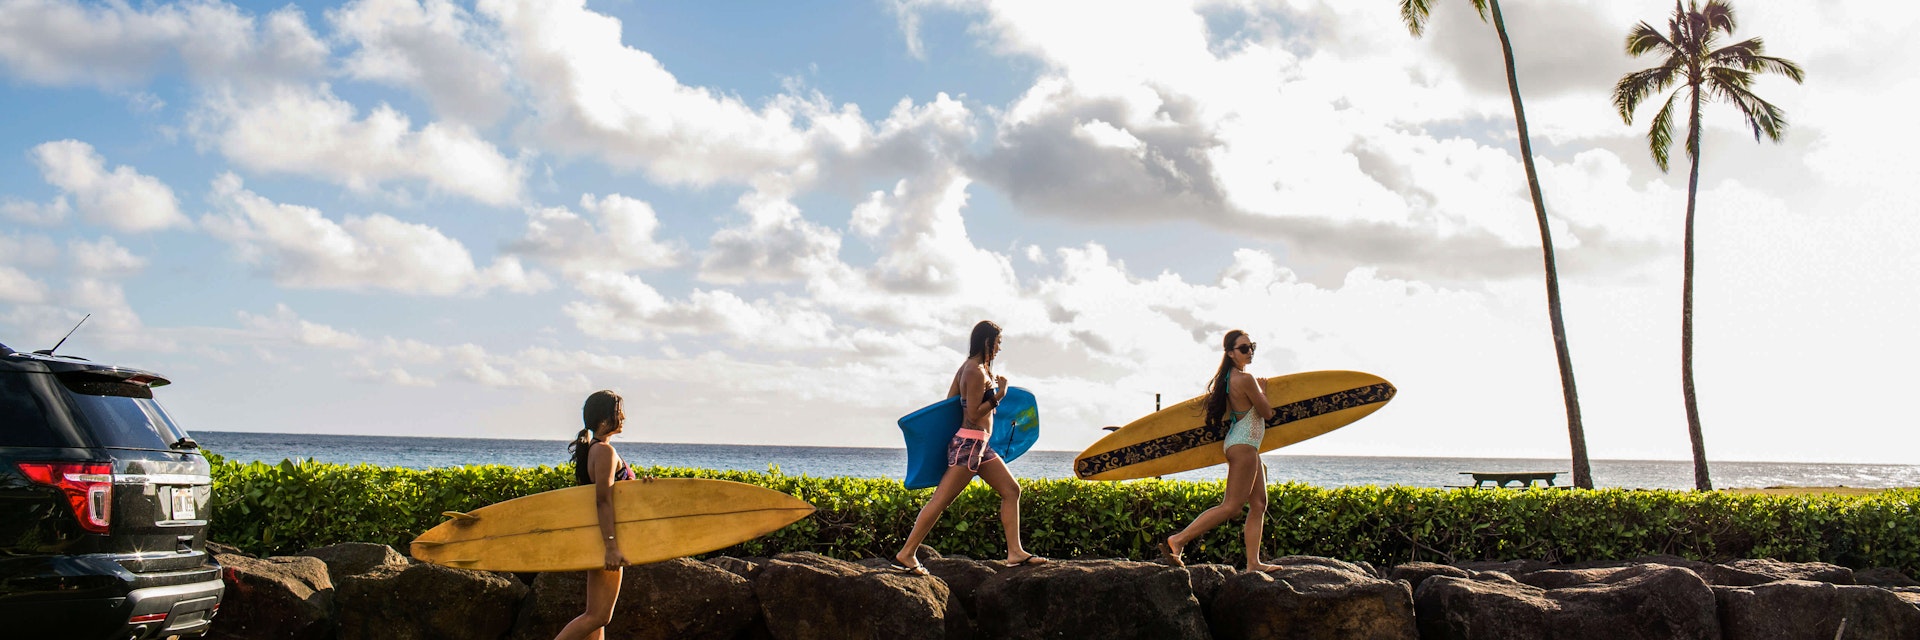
x,y
1692,64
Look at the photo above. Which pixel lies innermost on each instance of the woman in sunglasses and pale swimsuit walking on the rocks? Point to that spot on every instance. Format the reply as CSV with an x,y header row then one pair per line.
x,y
1236,399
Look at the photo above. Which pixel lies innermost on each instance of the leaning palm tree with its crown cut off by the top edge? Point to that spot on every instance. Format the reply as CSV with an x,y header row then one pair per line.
x,y
1414,14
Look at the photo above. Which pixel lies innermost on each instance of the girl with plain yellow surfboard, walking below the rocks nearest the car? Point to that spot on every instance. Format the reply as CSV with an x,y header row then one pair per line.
x,y
598,464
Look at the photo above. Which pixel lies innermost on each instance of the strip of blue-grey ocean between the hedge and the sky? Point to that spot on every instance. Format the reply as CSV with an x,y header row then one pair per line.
x,y
892,464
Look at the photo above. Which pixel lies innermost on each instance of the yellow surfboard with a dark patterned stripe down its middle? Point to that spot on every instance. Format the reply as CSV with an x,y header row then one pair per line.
x,y
1178,439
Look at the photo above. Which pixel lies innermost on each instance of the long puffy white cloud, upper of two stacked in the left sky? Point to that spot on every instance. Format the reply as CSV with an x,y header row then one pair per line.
x,y
310,132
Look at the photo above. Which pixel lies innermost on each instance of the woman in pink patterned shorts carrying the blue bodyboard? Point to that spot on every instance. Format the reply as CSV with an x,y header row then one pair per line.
x,y
969,455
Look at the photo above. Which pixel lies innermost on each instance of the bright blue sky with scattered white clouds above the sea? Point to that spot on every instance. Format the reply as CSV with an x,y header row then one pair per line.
x,y
777,224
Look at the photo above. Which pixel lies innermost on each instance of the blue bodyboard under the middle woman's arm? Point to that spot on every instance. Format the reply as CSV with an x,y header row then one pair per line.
x,y
1017,426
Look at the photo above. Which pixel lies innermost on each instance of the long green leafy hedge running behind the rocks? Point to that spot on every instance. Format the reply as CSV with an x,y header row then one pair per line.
x,y
293,506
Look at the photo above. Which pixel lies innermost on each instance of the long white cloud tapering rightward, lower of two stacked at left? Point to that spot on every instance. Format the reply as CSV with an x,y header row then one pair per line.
x,y
302,249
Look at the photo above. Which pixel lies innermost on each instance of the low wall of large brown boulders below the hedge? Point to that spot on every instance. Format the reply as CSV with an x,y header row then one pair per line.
x,y
368,591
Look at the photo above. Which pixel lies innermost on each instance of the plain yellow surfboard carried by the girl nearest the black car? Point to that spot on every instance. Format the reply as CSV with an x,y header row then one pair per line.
x,y
654,522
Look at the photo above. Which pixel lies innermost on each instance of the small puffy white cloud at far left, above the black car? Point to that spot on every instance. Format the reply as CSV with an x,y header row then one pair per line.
x,y
120,199
